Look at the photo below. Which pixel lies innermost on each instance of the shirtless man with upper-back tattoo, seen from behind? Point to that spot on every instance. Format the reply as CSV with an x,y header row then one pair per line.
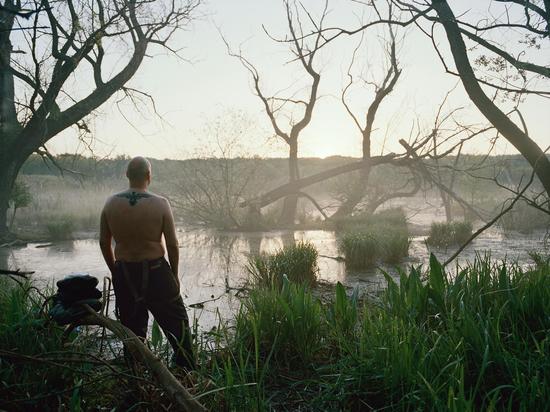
x,y
142,278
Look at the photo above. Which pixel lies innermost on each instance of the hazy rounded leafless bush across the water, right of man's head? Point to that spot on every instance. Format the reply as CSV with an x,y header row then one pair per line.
x,y
221,174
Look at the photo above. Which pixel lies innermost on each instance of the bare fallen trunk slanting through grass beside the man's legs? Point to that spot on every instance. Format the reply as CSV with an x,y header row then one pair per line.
x,y
139,351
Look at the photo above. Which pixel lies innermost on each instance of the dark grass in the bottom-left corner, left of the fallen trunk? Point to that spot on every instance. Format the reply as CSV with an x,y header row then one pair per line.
x,y
42,368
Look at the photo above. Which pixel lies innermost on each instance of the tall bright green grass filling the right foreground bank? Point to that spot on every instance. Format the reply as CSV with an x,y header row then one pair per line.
x,y
475,340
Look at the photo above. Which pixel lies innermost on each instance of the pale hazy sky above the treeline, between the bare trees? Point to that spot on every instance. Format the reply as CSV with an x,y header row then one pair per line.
x,y
206,98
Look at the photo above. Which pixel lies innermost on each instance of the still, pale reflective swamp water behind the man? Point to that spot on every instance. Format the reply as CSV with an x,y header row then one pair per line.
x,y
212,262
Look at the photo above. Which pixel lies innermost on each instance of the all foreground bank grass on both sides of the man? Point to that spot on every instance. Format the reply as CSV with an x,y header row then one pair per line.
x,y
474,339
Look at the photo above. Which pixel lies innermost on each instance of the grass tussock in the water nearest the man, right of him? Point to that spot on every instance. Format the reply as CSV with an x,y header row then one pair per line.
x,y
298,263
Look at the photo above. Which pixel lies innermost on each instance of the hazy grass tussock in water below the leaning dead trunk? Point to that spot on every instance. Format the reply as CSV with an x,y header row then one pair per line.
x,y
381,237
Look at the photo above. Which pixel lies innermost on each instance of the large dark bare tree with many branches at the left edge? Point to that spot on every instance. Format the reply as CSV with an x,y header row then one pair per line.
x,y
61,60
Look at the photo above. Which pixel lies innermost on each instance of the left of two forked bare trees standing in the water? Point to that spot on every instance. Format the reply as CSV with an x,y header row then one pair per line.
x,y
304,52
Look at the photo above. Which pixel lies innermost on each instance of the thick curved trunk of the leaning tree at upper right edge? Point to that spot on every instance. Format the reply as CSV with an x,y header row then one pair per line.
x,y
518,138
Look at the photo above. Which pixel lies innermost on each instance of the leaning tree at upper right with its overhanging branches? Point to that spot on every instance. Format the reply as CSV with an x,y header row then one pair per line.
x,y
526,21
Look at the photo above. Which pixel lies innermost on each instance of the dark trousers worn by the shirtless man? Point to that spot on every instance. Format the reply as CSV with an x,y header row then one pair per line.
x,y
151,286
